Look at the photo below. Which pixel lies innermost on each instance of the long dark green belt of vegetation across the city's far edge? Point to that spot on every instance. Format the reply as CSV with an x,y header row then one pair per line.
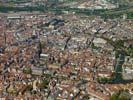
x,y
114,13
